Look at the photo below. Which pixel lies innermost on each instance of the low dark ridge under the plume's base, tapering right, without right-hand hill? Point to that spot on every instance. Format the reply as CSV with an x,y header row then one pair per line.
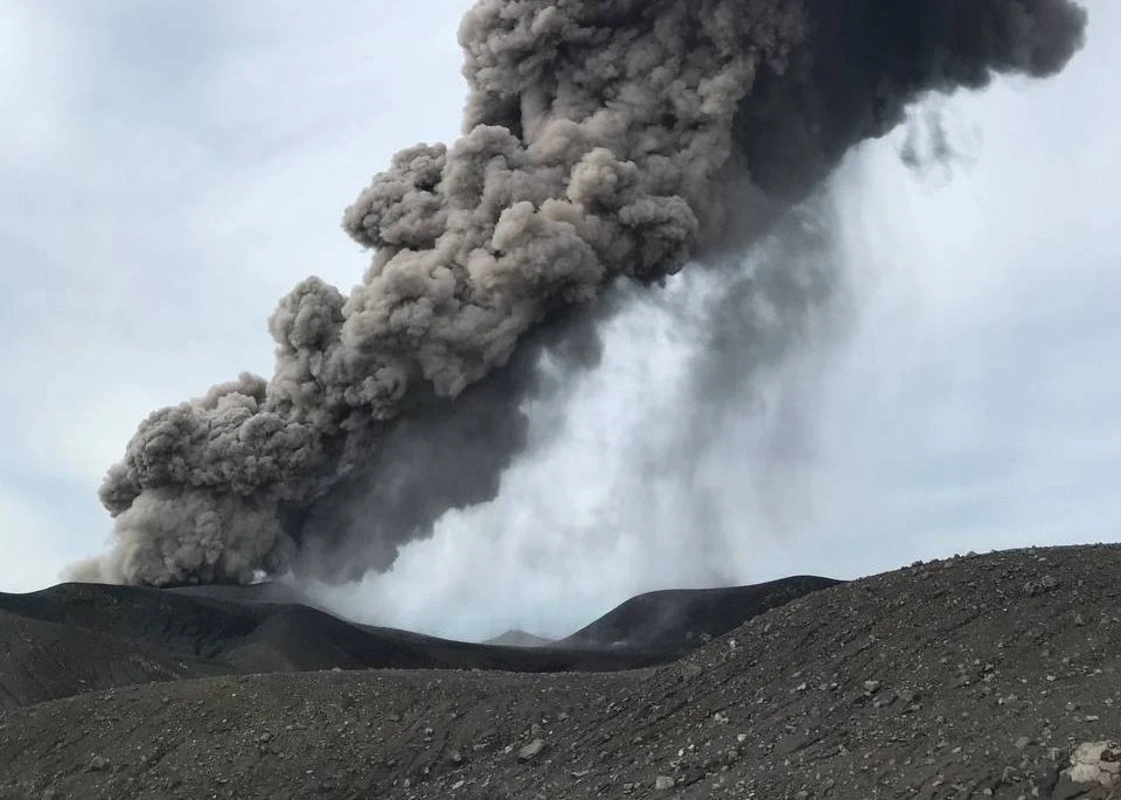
x,y
80,637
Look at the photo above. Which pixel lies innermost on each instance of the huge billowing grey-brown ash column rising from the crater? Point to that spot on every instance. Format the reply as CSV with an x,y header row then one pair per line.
x,y
605,141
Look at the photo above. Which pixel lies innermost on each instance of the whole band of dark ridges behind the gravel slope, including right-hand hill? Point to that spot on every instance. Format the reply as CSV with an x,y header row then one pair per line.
x,y
77,638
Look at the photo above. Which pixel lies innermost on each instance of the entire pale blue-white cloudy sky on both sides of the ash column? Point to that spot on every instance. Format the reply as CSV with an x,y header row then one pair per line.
x,y
173,170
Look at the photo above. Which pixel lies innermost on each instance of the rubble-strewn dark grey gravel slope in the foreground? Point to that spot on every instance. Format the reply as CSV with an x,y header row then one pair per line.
x,y
968,678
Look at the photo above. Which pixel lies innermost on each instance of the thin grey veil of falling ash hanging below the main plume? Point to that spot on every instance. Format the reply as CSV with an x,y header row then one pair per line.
x,y
770,323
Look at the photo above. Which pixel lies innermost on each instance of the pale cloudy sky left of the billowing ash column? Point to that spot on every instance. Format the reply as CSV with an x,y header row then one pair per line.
x,y
197,166
